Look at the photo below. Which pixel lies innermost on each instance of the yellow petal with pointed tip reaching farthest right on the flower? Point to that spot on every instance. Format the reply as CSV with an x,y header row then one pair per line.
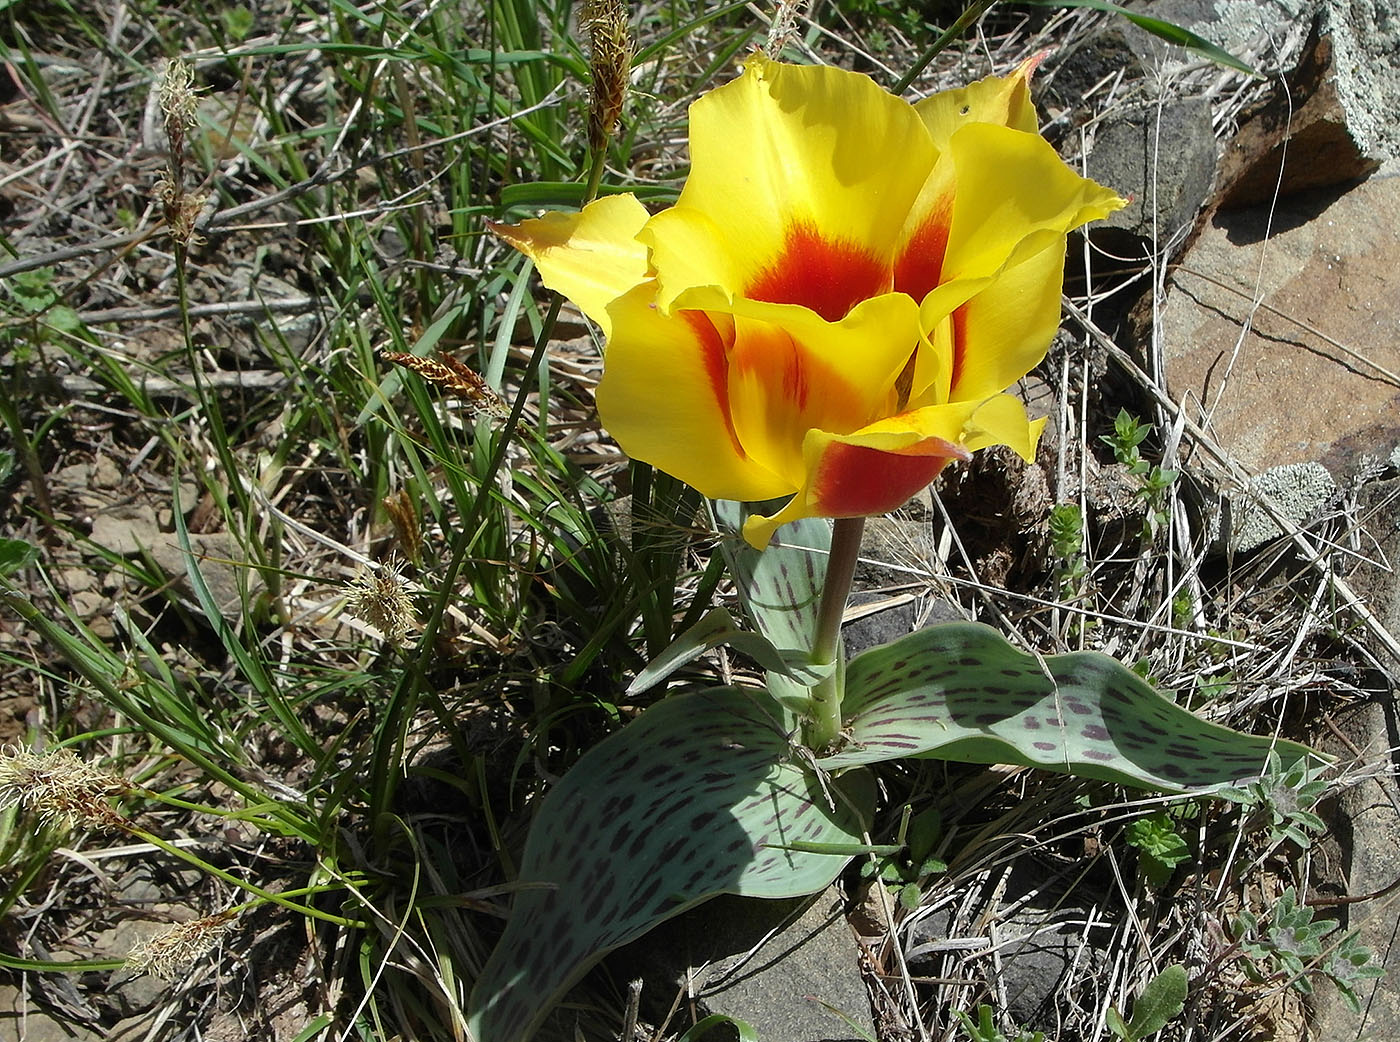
x,y
1011,186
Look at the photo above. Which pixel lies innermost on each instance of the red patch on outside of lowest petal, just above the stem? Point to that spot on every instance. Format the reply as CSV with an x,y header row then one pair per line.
x,y
855,481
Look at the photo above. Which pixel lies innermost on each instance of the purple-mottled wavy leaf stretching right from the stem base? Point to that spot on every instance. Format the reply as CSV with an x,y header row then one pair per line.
x,y
961,693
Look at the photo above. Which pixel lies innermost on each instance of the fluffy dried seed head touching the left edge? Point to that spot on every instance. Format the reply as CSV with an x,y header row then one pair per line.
x,y
61,789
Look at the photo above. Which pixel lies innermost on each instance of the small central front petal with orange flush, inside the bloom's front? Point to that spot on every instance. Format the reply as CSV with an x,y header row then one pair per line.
x,y
790,373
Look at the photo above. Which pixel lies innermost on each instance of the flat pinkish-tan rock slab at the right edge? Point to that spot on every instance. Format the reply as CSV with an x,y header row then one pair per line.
x,y
1311,373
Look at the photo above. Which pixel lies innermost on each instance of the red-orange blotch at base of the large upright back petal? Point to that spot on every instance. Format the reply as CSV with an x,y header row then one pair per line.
x,y
825,275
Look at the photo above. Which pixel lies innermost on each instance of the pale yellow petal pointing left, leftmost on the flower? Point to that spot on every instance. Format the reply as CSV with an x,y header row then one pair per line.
x,y
591,257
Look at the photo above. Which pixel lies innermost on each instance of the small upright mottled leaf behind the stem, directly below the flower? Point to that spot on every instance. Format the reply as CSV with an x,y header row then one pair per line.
x,y
782,586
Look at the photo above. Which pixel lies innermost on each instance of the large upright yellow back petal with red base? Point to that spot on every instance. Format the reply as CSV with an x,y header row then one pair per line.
x,y
801,181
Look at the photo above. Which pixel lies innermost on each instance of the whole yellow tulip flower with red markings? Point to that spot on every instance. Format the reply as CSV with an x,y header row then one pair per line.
x,y
839,299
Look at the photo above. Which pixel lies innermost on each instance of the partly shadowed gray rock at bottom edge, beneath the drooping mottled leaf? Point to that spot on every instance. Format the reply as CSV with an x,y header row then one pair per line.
x,y
765,963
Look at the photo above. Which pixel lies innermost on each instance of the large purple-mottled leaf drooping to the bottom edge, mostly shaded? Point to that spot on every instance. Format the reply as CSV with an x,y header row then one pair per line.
x,y
702,795
